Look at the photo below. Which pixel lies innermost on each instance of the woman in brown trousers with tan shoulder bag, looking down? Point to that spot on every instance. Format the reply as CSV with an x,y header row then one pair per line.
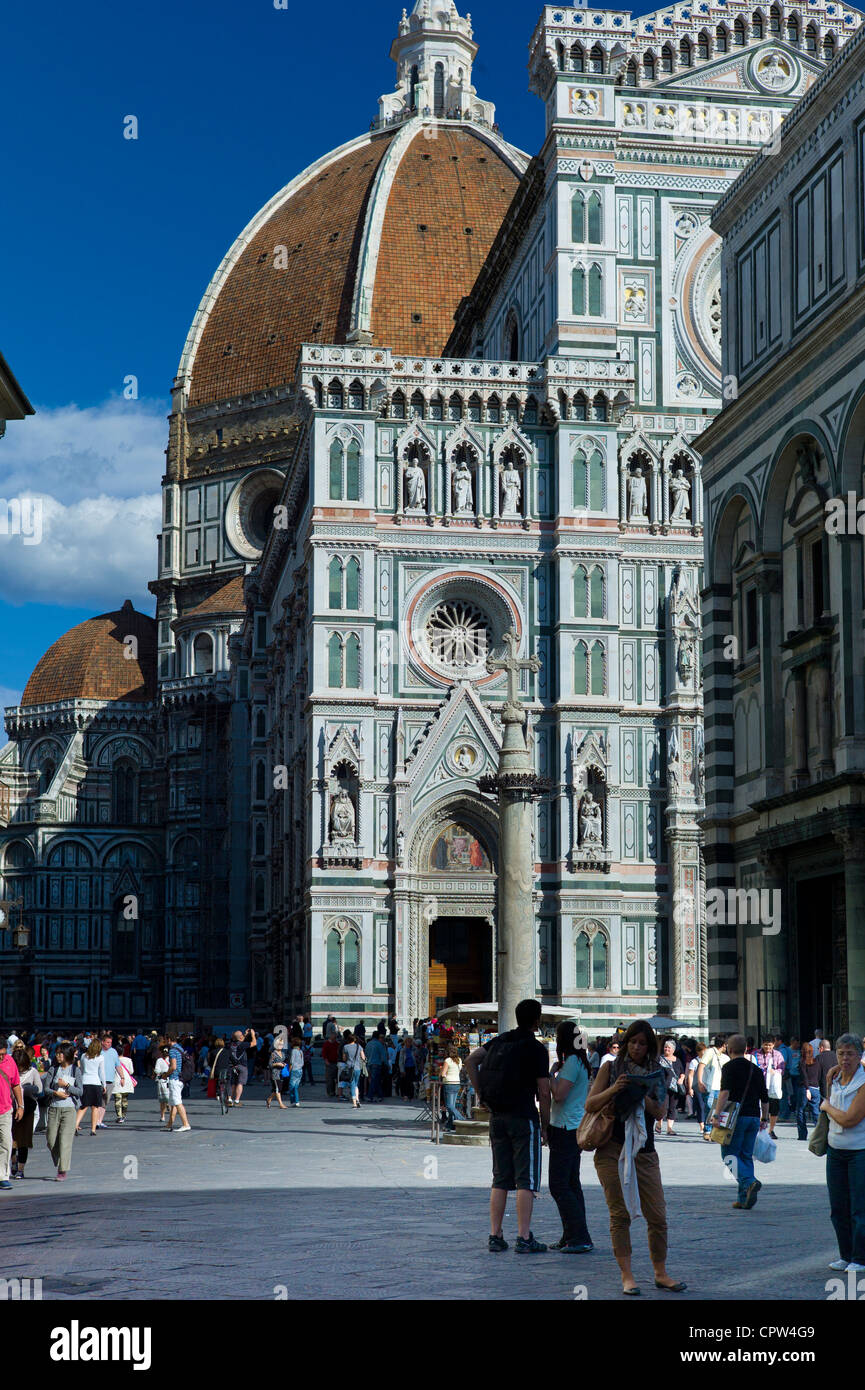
x,y
628,1164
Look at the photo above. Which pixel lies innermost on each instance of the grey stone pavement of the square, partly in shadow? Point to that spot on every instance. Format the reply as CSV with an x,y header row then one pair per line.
x,y
264,1204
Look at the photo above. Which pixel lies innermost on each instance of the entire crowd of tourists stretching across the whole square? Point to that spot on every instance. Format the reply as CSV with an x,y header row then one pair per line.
x,y
614,1097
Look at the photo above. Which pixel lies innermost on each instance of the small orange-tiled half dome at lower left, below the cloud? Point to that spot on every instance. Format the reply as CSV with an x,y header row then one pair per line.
x,y
90,662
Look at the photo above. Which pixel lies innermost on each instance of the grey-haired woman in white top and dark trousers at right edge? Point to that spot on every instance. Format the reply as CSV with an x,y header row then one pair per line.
x,y
846,1153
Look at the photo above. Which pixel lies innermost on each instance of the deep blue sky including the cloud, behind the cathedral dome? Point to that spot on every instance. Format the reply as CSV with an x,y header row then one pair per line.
x,y
108,244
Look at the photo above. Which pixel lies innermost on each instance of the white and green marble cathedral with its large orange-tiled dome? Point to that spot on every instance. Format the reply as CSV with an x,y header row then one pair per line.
x,y
440,393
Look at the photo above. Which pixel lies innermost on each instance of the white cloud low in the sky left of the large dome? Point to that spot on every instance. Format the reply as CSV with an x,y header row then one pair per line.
x,y
97,473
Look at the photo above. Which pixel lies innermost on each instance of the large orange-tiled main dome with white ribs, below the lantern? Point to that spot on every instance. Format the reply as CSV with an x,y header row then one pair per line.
x,y
415,215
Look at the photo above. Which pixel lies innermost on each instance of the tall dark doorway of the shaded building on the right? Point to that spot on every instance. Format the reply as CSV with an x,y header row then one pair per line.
x,y
821,938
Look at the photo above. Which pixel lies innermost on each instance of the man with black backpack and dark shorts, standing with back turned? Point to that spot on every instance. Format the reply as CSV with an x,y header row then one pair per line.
x,y
512,1077
